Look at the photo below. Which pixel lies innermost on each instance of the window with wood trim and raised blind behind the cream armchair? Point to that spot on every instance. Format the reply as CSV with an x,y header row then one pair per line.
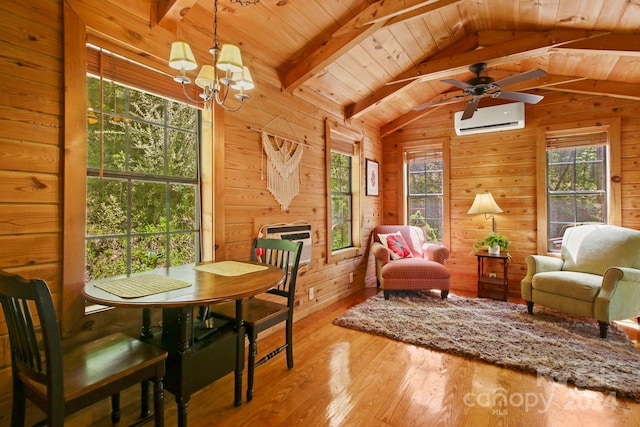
x,y
579,169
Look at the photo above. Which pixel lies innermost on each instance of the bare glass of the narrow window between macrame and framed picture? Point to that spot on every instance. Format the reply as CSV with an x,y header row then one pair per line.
x,y
341,220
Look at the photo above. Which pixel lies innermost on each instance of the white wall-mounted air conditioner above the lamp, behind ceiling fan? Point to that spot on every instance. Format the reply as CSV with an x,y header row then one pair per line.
x,y
491,119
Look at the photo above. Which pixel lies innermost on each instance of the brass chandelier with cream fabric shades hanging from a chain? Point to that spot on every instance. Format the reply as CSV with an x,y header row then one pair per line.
x,y
217,81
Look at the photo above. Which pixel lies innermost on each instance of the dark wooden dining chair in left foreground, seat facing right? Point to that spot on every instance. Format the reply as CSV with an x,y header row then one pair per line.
x,y
61,382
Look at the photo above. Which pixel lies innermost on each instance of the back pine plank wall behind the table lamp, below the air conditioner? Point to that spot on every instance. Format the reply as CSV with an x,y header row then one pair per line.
x,y
504,163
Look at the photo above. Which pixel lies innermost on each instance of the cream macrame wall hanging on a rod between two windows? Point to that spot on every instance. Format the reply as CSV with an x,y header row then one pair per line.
x,y
283,165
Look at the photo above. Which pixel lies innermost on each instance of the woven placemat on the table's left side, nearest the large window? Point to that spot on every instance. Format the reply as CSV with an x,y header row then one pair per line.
x,y
140,286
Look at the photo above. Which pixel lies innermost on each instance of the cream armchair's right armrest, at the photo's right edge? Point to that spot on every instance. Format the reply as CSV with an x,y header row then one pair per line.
x,y
619,296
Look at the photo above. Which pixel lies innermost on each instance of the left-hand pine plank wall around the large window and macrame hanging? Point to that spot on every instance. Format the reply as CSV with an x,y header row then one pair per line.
x,y
31,169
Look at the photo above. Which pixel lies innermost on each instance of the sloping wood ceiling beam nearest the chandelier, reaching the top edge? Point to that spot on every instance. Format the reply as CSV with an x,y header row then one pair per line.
x,y
375,16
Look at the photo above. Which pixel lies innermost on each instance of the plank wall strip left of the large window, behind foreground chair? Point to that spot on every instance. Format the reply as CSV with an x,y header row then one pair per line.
x,y
31,101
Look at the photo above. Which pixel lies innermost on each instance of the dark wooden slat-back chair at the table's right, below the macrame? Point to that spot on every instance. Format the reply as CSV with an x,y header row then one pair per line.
x,y
260,314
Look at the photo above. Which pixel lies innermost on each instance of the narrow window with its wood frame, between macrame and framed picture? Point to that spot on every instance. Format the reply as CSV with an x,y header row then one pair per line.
x,y
343,165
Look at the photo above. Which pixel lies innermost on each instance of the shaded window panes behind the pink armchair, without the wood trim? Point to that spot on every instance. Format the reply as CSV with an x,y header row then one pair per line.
x,y
425,192
